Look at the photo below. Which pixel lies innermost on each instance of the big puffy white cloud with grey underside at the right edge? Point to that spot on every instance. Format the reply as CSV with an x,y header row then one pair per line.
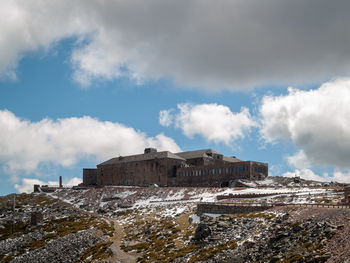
x,y
317,121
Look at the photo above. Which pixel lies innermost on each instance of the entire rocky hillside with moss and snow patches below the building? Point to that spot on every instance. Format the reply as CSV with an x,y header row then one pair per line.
x,y
131,224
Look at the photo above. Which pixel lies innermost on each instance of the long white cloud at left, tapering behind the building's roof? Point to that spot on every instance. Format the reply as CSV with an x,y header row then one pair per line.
x,y
25,145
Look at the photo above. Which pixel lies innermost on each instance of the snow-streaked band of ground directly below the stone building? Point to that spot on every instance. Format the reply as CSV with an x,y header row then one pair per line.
x,y
174,200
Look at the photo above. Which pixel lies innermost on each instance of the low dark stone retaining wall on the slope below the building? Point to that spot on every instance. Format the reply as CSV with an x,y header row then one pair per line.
x,y
227,209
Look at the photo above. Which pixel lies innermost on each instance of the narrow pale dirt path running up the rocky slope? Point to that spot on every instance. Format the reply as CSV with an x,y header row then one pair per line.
x,y
119,255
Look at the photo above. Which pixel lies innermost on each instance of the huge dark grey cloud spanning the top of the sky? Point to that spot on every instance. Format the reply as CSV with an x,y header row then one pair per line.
x,y
216,45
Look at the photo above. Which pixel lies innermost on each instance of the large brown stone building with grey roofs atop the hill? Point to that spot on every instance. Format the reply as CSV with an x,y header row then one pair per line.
x,y
193,168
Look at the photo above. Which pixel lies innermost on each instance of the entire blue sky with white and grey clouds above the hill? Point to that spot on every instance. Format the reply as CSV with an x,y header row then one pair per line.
x,y
84,81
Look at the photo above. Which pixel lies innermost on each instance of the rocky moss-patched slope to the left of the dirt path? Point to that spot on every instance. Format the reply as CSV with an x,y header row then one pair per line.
x,y
65,234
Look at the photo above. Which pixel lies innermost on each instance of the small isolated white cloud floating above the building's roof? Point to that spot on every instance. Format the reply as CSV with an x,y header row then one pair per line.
x,y
216,123
